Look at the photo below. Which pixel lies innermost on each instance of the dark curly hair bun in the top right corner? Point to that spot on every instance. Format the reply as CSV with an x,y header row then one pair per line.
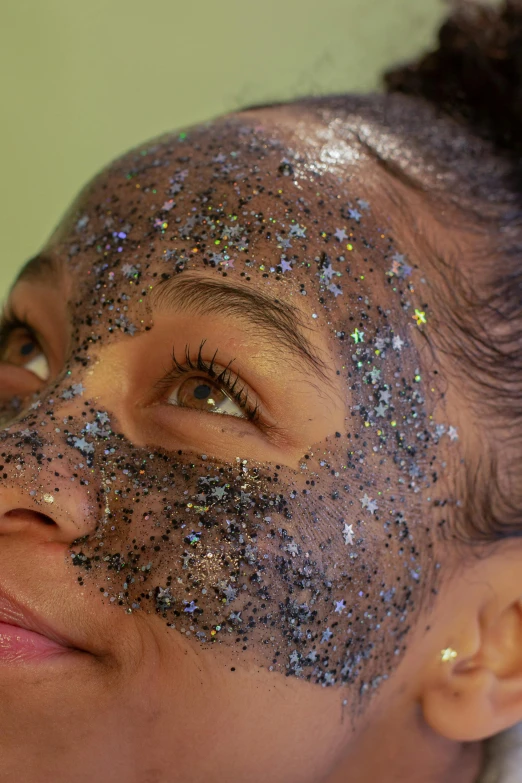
x,y
475,75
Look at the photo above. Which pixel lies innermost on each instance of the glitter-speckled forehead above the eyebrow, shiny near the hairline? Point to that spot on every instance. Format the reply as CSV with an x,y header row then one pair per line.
x,y
271,199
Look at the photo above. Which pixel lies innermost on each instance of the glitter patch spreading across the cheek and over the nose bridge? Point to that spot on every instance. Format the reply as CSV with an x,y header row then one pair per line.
x,y
310,573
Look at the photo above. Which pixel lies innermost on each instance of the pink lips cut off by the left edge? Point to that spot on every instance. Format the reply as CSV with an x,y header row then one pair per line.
x,y
25,635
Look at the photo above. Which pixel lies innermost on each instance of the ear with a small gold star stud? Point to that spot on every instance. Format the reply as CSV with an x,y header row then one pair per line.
x,y
479,693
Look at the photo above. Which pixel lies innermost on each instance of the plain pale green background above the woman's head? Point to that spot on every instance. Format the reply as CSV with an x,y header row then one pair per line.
x,y
82,82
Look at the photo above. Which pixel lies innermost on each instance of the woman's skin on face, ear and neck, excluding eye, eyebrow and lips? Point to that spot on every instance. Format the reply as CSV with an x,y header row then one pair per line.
x,y
245,700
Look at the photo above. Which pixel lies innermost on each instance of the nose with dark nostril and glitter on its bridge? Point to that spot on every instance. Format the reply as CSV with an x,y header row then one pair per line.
x,y
47,478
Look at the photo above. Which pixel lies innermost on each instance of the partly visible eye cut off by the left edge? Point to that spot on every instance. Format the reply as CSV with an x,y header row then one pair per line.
x,y
19,346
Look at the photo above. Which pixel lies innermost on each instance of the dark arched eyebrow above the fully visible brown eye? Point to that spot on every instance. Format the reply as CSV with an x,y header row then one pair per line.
x,y
279,322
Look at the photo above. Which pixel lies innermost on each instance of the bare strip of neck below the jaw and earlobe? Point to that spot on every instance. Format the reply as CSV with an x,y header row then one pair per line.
x,y
394,750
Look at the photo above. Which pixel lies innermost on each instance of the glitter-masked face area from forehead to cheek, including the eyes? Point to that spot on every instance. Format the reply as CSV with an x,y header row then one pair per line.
x,y
212,373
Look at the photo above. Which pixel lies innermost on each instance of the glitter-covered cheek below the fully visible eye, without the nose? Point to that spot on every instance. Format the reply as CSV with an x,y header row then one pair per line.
x,y
249,559
